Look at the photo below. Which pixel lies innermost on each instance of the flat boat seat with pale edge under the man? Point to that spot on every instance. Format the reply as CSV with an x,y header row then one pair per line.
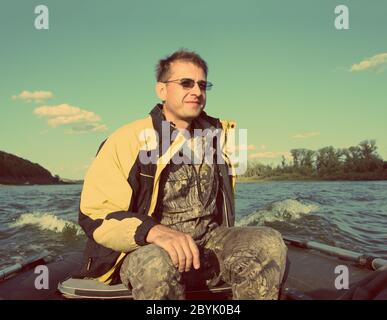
x,y
93,289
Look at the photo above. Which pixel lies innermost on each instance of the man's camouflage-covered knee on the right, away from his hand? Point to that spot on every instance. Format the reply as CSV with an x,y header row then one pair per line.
x,y
254,263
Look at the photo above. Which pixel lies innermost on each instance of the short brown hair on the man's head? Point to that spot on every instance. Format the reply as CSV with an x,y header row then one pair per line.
x,y
163,68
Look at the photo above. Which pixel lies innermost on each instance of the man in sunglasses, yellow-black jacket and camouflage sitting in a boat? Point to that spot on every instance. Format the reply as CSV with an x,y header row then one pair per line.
x,y
161,221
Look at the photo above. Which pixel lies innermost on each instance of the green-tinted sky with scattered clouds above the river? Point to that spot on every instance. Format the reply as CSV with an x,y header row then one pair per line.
x,y
280,69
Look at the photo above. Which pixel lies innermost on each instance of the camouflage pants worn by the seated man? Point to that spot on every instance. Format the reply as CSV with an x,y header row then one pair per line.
x,y
250,259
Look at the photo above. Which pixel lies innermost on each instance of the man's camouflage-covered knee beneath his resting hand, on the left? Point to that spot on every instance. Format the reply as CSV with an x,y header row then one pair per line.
x,y
151,275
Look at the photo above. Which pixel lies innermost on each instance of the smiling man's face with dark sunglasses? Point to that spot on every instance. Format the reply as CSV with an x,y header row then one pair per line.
x,y
184,103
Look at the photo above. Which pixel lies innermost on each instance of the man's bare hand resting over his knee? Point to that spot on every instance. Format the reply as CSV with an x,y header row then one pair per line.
x,y
180,246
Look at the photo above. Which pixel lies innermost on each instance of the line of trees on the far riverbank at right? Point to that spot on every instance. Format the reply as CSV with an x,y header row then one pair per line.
x,y
360,162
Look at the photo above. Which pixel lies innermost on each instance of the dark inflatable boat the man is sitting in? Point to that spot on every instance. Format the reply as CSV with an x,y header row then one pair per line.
x,y
316,271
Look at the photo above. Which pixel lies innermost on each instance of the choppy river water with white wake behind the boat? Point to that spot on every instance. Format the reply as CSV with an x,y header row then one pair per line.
x,y
351,215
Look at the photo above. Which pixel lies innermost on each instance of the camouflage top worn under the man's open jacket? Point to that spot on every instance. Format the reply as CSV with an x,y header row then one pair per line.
x,y
188,194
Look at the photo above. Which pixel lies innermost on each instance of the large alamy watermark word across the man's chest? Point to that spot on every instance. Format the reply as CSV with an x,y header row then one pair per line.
x,y
202,146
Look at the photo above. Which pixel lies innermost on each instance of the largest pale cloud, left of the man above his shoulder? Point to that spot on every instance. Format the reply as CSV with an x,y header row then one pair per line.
x,y
65,114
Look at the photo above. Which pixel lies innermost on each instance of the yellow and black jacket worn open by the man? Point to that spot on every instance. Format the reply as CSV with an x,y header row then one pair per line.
x,y
120,192
